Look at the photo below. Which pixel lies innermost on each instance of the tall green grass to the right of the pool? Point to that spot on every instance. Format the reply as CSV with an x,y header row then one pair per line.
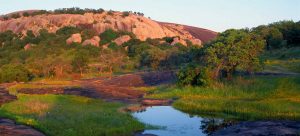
x,y
242,99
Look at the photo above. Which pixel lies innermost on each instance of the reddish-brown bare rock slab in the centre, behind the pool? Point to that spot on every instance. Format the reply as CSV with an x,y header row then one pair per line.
x,y
118,88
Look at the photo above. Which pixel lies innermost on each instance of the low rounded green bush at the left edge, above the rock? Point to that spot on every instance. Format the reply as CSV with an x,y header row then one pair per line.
x,y
12,72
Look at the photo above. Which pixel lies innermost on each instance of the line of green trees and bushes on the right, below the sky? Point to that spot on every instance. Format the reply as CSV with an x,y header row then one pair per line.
x,y
239,50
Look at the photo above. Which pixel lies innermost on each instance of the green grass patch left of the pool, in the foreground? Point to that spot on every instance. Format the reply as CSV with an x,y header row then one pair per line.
x,y
62,115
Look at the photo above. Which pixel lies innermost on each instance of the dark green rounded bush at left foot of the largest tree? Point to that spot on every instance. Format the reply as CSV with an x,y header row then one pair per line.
x,y
193,75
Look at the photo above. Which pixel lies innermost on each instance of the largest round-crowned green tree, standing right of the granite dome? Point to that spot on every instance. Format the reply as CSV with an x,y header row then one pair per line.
x,y
234,49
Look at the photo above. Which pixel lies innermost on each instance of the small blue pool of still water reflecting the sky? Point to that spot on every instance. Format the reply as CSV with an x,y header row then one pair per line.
x,y
175,123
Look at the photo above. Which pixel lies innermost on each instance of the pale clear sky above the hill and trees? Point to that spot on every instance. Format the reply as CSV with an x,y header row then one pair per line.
x,y
217,15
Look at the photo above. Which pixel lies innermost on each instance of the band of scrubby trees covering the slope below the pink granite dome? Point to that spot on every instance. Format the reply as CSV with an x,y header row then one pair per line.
x,y
49,56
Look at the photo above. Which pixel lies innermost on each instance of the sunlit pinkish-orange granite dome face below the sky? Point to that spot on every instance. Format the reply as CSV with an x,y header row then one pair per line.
x,y
141,26
